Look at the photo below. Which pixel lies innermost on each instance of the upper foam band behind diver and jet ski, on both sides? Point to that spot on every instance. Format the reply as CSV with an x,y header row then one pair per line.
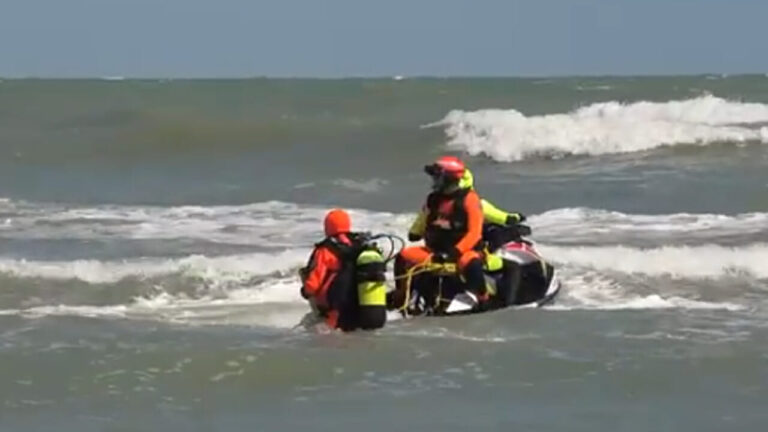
x,y
285,225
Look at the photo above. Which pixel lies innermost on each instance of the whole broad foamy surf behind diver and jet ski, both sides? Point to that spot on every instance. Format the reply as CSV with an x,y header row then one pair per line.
x,y
598,251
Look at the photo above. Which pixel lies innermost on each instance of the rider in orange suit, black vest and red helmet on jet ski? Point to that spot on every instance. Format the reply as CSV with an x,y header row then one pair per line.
x,y
451,224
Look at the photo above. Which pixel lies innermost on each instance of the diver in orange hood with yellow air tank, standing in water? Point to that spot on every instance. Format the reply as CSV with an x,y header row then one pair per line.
x,y
344,278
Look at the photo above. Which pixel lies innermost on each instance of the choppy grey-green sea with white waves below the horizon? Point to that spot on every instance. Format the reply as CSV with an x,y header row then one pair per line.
x,y
150,233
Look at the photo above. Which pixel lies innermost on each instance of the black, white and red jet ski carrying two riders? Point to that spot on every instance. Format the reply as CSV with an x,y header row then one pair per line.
x,y
525,279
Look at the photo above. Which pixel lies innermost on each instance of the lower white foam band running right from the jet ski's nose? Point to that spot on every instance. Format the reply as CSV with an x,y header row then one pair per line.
x,y
697,262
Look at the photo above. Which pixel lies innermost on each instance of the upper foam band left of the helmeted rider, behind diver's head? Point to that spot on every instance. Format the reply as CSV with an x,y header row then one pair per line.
x,y
267,224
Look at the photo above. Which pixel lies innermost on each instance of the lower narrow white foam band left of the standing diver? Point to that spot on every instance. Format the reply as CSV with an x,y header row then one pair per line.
x,y
231,268
